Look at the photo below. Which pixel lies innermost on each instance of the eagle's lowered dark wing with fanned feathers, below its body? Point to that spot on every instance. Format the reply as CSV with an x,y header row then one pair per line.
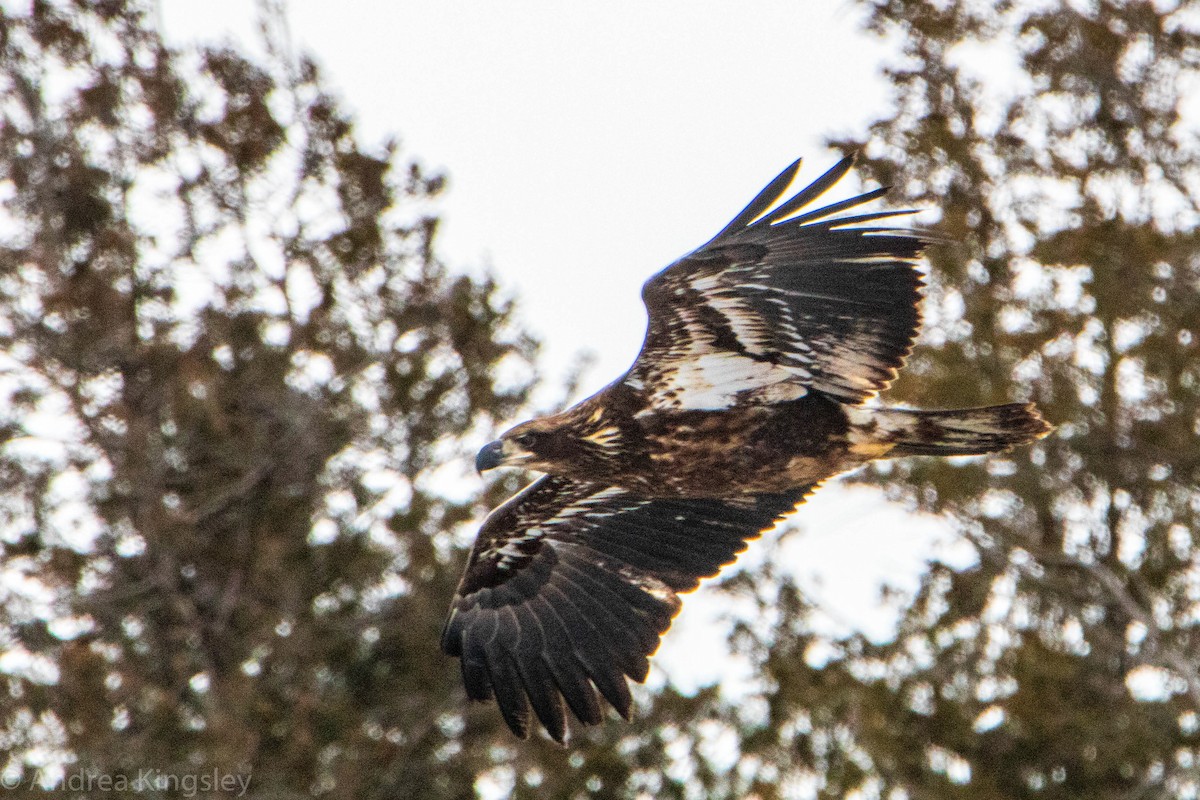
x,y
571,586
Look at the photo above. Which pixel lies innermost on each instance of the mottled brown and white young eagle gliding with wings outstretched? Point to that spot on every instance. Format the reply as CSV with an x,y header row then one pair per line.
x,y
761,350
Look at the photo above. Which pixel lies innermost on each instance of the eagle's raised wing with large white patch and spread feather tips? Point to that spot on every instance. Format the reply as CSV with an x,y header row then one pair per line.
x,y
783,303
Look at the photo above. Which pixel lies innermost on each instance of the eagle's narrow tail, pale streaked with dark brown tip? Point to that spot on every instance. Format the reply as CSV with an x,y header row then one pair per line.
x,y
962,432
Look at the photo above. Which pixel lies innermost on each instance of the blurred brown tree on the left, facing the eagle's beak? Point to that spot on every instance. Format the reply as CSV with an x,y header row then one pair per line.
x,y
233,380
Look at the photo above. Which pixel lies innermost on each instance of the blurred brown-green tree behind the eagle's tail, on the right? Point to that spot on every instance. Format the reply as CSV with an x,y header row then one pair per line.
x,y
1063,147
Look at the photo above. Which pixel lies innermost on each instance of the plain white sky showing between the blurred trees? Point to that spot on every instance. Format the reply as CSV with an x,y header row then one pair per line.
x,y
587,151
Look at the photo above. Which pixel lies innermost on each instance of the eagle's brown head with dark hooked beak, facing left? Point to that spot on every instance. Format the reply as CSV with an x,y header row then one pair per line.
x,y
561,444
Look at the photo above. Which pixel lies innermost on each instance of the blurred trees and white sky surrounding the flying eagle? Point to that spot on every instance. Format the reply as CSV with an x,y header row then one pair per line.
x,y
271,274
